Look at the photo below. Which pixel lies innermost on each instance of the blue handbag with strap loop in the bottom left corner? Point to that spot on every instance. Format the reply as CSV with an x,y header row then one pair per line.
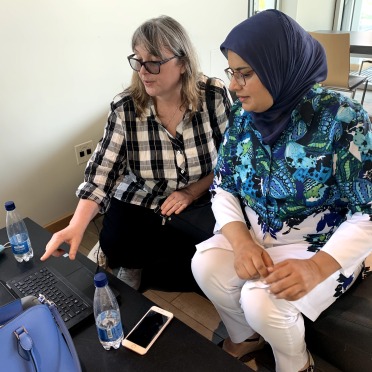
x,y
33,337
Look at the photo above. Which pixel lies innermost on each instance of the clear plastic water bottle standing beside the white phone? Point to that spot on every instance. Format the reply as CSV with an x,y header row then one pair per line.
x,y
107,314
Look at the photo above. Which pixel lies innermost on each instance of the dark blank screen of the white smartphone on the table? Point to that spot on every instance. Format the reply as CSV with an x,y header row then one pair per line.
x,y
147,329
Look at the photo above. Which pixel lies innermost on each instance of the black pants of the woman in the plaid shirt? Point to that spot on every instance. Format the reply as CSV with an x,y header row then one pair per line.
x,y
134,237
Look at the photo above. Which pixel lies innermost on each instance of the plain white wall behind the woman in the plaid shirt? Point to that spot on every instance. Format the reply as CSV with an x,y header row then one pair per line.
x,y
61,64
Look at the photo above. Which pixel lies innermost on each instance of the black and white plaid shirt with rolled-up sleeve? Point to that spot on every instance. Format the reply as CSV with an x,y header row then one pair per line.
x,y
139,162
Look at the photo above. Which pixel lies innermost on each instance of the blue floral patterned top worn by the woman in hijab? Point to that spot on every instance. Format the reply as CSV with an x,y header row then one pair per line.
x,y
316,174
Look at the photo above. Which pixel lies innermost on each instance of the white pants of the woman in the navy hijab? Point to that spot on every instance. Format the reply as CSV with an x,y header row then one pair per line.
x,y
245,311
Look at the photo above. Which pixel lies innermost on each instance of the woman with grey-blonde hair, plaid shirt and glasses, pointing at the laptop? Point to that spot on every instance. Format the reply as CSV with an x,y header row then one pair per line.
x,y
158,150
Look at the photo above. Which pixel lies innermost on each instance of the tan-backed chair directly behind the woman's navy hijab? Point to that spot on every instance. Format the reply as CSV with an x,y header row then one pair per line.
x,y
337,48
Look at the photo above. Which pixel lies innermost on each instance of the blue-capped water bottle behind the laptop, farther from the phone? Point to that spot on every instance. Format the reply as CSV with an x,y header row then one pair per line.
x,y
17,234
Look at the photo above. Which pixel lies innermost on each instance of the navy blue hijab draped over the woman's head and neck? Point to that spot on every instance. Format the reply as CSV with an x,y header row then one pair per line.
x,y
287,60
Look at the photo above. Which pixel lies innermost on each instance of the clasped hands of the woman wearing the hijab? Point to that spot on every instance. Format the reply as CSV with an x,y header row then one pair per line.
x,y
290,279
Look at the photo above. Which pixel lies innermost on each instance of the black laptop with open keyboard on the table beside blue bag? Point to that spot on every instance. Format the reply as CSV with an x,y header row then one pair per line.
x,y
69,284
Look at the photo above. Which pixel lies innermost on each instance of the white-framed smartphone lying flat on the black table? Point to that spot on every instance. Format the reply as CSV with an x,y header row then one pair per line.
x,y
147,330
